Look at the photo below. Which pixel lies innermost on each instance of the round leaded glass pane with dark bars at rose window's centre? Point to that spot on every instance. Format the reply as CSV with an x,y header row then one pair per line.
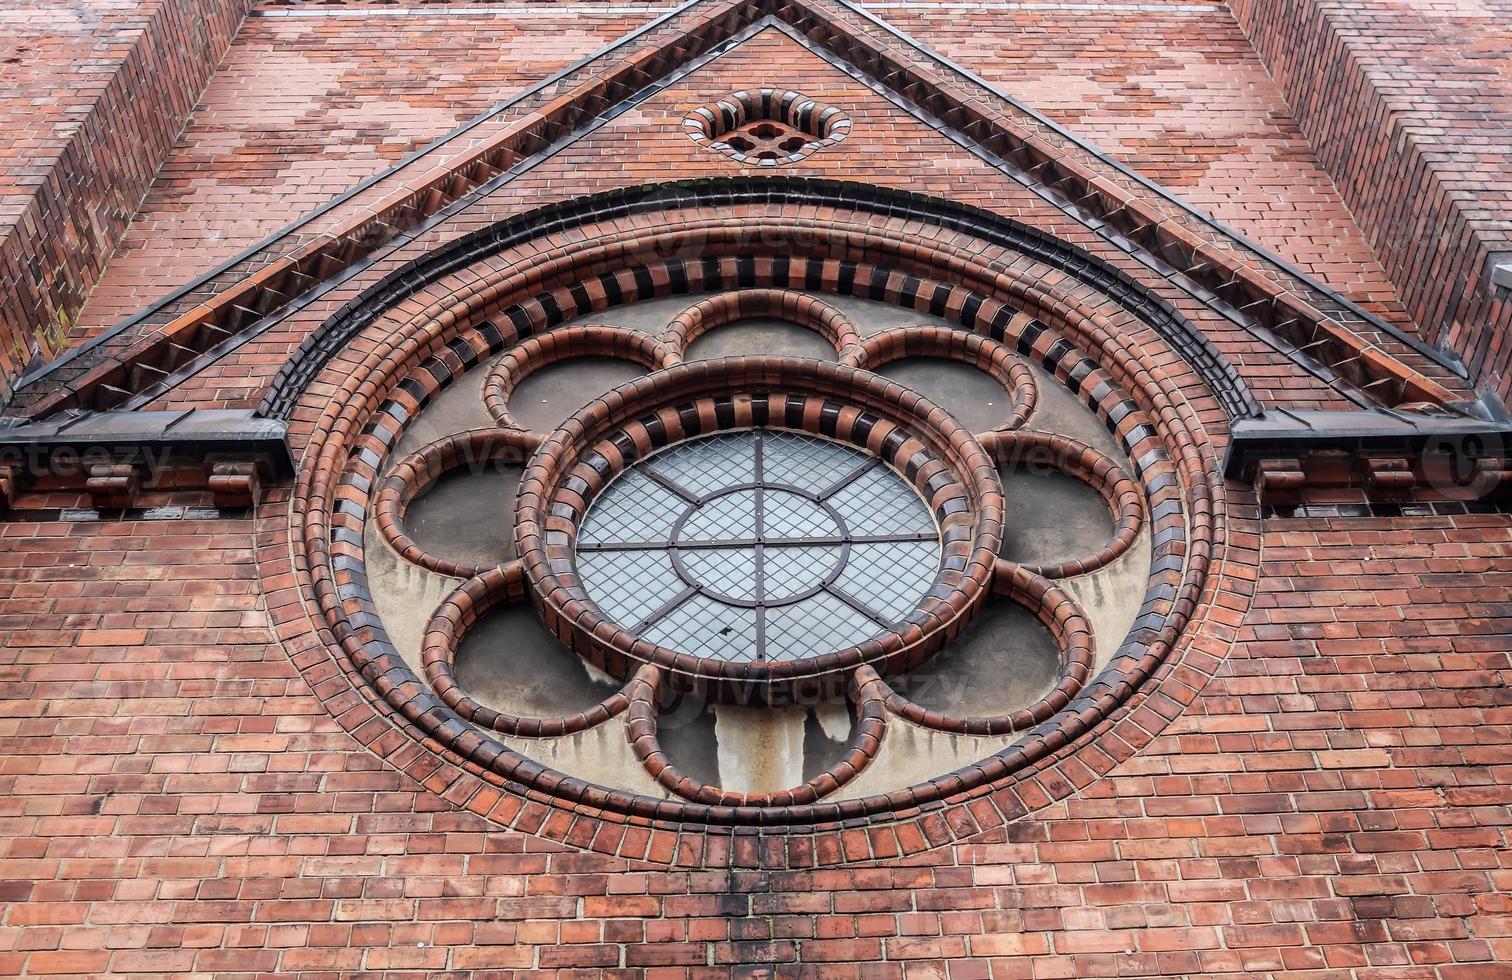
x,y
763,545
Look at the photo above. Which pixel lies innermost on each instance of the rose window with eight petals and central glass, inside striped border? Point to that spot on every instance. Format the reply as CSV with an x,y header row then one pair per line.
x,y
781,585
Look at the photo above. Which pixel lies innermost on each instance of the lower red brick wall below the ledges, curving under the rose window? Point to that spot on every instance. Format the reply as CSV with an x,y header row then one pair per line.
x,y
175,799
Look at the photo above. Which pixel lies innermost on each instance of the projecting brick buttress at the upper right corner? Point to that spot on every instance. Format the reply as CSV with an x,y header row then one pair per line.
x,y
1410,108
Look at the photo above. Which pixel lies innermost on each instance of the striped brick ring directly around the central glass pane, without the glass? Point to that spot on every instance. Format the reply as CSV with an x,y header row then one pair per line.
x,y
922,442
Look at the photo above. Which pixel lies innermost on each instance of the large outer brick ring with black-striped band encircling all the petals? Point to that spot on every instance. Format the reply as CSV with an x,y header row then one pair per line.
x,y
926,258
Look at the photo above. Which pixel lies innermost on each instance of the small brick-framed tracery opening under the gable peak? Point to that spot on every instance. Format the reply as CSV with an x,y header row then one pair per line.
x,y
767,128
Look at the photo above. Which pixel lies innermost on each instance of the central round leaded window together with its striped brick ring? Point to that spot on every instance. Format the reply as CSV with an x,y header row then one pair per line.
x,y
610,445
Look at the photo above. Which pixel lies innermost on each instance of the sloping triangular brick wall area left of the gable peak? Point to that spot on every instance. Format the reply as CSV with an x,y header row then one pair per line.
x,y
305,108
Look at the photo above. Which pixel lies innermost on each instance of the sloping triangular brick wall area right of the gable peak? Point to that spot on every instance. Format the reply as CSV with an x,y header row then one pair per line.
x,y
1182,98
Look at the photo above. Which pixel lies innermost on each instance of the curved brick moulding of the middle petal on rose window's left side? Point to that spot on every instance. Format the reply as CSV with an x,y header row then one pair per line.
x,y
420,471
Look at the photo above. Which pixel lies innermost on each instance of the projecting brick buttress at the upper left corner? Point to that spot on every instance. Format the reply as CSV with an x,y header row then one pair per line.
x,y
94,96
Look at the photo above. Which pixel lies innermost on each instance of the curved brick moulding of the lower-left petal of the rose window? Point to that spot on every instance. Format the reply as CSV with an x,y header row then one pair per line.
x,y
444,634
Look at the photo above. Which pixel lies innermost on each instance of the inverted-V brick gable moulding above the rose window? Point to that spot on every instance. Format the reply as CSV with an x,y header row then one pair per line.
x,y
140,359
